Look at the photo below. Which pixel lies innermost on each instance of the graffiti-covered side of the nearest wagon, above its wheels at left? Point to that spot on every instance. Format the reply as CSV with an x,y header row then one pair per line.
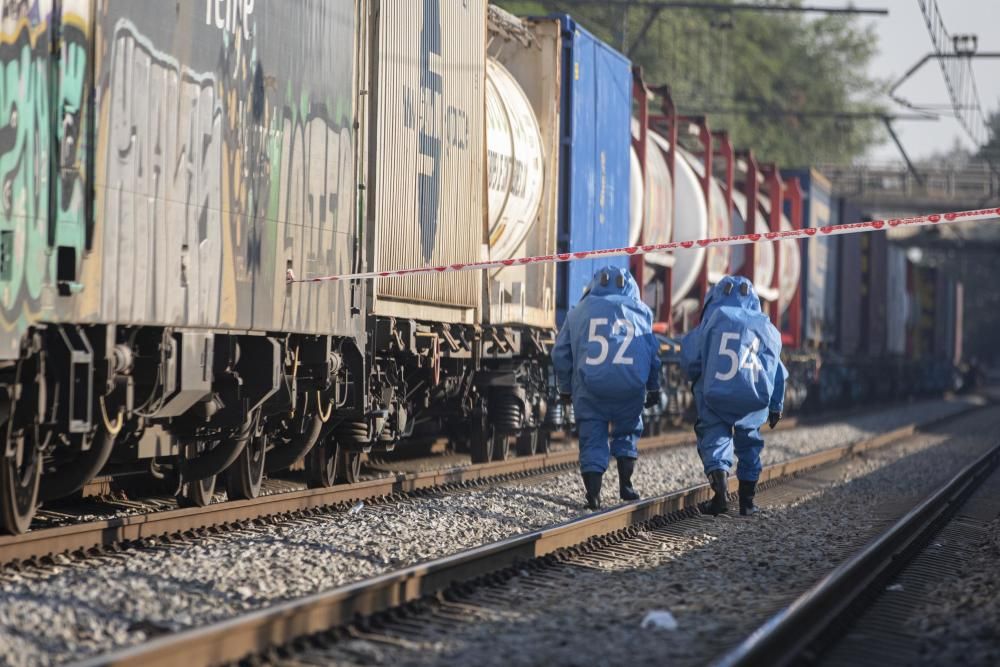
x,y
211,175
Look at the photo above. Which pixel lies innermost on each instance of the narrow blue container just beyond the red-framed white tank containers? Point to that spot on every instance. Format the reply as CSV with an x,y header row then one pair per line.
x,y
820,264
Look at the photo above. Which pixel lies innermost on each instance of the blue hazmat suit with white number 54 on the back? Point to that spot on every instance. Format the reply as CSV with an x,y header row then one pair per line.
x,y
733,359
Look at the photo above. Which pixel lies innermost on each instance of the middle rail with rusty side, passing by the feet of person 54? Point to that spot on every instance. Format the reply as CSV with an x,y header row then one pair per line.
x,y
258,631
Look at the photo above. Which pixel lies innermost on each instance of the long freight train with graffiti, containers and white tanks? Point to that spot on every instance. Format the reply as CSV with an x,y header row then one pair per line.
x,y
169,169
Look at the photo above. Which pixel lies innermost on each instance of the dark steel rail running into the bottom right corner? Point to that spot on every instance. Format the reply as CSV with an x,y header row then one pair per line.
x,y
807,623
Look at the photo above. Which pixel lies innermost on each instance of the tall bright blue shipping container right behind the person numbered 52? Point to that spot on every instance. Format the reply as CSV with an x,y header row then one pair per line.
x,y
594,159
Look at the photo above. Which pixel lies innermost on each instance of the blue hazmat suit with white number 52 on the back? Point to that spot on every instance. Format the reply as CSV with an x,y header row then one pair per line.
x,y
607,357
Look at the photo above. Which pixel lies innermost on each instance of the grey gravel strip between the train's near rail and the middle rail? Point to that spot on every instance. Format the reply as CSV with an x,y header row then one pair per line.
x,y
77,609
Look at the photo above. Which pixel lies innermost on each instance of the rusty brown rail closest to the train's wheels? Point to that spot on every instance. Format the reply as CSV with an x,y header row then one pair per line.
x,y
83,536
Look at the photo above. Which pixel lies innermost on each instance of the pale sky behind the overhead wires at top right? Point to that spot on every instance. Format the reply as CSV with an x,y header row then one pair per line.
x,y
904,40
